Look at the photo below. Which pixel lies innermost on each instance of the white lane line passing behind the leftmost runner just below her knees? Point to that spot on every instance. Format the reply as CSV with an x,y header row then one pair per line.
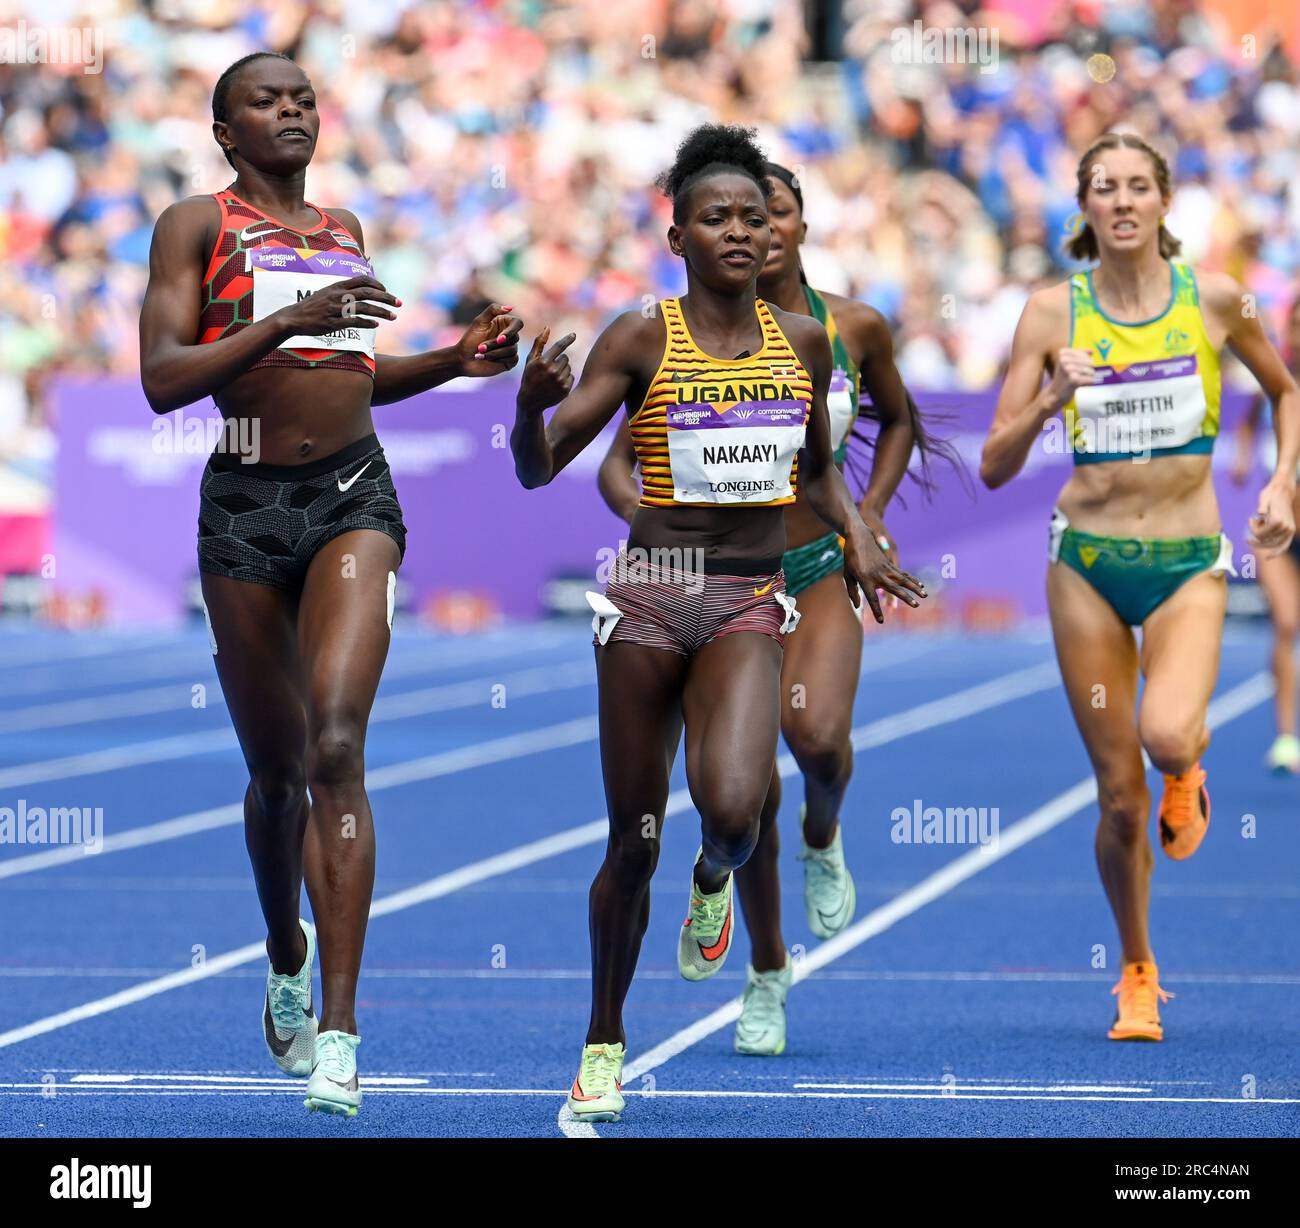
x,y
480,754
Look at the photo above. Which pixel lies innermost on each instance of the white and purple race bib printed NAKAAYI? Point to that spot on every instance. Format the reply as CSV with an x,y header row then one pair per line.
x,y
739,454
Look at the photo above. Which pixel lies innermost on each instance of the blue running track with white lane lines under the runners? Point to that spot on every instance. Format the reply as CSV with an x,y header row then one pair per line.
x,y
968,999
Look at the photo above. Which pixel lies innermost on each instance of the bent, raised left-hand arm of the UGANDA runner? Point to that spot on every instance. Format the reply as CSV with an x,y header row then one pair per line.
x,y
544,449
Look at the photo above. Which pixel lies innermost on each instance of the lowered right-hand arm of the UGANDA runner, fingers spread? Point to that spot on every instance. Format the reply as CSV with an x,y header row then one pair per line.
x,y
866,567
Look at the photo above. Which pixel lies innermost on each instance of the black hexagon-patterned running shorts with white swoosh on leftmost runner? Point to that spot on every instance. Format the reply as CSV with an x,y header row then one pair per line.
x,y
265,524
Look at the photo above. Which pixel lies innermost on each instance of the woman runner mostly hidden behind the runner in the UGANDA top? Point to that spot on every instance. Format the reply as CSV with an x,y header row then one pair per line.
x,y
820,672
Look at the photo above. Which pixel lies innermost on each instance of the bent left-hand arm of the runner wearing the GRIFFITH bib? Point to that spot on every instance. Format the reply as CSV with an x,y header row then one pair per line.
x,y
1024,405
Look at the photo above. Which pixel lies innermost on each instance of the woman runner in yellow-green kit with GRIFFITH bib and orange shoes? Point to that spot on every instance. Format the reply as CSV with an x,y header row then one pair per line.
x,y
1132,349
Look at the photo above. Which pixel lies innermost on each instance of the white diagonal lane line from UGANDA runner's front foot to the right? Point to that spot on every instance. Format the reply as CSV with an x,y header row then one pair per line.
x,y
1228,708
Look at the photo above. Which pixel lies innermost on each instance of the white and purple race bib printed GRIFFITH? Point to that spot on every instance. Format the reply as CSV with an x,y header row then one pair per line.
x,y
1141,407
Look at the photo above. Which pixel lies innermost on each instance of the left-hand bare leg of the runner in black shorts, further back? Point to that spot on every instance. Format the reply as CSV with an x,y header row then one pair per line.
x,y
261,678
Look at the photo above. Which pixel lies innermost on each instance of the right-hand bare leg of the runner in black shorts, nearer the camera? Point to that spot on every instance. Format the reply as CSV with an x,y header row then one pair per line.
x,y
344,639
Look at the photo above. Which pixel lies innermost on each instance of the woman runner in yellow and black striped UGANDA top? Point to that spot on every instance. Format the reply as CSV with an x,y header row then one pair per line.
x,y
726,401
